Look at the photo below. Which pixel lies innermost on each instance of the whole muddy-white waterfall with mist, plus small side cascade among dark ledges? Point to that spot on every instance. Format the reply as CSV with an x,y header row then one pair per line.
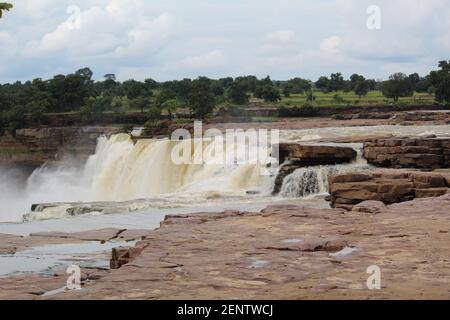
x,y
141,174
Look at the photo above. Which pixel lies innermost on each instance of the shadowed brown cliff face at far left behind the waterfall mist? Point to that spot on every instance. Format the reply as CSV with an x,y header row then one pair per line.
x,y
34,147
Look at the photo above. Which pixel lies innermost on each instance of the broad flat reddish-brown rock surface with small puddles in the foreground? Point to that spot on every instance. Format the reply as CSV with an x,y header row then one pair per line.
x,y
285,252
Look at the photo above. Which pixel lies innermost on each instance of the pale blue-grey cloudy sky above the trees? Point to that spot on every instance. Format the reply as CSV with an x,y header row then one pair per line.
x,y
168,39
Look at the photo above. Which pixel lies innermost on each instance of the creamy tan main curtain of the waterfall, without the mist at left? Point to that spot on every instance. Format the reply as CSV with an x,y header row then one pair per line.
x,y
121,170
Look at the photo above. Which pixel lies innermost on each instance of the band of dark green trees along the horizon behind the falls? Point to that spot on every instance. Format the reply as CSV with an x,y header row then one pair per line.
x,y
78,92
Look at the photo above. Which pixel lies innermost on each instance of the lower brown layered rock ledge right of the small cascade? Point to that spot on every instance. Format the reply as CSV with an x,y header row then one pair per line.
x,y
386,185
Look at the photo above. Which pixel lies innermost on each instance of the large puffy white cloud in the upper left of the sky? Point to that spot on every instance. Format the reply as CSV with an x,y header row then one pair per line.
x,y
117,30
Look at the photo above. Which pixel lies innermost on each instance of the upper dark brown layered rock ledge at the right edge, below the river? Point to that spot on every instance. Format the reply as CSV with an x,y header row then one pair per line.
x,y
421,153
